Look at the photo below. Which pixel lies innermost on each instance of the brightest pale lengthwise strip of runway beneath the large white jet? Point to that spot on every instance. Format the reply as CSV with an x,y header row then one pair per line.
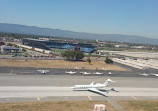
x,y
16,91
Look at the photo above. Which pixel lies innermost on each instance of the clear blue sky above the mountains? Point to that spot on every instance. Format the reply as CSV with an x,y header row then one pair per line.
x,y
132,17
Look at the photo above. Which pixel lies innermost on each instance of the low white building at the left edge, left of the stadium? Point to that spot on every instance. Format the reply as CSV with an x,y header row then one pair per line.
x,y
9,49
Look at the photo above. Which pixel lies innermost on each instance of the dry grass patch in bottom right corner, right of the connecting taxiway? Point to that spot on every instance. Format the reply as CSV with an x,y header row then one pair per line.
x,y
139,105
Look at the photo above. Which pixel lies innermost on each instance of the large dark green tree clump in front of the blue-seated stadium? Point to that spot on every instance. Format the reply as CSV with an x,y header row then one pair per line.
x,y
72,55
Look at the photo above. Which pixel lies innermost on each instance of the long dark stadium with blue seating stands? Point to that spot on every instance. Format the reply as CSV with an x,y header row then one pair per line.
x,y
48,44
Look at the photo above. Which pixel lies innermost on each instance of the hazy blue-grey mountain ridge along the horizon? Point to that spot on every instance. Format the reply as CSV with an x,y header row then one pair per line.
x,y
34,30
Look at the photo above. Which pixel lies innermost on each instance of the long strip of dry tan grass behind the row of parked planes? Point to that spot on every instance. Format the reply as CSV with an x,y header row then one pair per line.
x,y
59,64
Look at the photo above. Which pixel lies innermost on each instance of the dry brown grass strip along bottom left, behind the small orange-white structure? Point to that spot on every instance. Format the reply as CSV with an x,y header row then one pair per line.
x,y
54,106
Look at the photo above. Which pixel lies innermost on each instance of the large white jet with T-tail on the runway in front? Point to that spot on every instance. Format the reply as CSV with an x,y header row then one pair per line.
x,y
95,87
